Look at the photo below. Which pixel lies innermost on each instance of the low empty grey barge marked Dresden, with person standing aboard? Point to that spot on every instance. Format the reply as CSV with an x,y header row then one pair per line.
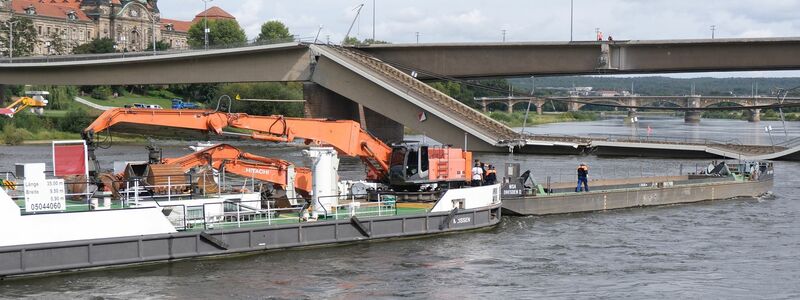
x,y
719,181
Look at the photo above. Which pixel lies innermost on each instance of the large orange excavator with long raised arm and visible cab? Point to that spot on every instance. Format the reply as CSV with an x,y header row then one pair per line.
x,y
403,166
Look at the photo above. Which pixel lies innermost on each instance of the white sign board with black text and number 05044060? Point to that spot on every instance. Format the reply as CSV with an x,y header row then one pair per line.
x,y
45,195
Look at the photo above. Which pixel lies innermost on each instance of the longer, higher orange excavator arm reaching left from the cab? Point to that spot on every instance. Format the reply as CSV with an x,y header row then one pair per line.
x,y
345,136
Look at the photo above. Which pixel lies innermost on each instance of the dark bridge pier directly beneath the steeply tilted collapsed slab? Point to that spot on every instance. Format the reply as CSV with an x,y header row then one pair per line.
x,y
324,103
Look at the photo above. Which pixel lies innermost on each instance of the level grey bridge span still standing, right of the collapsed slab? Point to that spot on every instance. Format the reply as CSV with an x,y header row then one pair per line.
x,y
477,60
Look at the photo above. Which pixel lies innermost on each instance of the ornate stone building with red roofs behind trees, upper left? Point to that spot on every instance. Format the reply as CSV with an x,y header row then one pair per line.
x,y
132,24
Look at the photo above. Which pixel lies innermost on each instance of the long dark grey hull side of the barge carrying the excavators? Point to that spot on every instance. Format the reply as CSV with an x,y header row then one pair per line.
x,y
75,255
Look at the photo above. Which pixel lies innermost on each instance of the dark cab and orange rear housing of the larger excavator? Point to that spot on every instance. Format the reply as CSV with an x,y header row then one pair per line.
x,y
413,164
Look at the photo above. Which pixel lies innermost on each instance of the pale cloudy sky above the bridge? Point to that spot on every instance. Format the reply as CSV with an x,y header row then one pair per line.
x,y
399,21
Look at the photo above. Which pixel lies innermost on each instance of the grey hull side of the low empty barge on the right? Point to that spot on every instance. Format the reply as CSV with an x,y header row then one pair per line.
x,y
628,198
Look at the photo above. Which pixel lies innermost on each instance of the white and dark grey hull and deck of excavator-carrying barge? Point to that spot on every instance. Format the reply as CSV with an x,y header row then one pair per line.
x,y
124,232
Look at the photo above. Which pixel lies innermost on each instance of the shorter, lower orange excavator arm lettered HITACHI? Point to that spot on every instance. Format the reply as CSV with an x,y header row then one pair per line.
x,y
262,168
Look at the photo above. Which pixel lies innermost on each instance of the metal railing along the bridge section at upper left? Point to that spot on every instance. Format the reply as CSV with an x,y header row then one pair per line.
x,y
132,54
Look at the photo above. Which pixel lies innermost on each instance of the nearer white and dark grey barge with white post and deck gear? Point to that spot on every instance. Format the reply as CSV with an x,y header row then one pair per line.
x,y
177,219
